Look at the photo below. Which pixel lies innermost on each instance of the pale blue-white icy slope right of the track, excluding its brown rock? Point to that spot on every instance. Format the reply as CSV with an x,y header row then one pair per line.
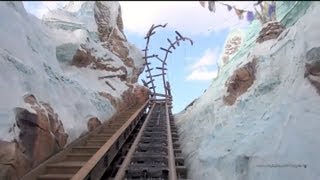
x,y
271,130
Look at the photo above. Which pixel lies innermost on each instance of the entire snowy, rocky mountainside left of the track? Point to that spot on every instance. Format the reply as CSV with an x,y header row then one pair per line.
x,y
57,74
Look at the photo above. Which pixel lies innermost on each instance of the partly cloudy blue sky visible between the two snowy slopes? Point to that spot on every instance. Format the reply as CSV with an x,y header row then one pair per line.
x,y
190,68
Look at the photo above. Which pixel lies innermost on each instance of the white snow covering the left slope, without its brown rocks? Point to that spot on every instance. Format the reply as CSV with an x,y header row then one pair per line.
x,y
28,63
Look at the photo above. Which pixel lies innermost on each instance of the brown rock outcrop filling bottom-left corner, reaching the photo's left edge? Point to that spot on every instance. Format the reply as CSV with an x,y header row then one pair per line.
x,y
41,135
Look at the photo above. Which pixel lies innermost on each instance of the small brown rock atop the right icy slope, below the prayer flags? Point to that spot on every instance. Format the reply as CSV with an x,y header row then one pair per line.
x,y
271,30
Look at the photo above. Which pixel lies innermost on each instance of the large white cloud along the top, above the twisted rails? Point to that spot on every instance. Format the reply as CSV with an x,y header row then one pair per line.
x,y
188,16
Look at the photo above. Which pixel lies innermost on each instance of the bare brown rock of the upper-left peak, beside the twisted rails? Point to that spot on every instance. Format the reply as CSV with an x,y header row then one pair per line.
x,y
110,31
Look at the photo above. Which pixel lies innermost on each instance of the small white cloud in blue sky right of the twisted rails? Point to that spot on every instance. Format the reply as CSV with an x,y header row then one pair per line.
x,y
200,69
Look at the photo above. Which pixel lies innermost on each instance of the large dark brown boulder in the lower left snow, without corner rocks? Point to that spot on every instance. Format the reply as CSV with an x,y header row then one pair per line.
x,y
41,132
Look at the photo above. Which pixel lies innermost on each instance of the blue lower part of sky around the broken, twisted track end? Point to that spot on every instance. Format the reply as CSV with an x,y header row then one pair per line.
x,y
183,61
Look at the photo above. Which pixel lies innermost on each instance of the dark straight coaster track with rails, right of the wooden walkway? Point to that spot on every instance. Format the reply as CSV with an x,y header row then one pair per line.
x,y
151,155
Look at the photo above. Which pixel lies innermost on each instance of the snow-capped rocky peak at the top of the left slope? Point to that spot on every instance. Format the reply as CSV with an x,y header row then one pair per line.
x,y
85,27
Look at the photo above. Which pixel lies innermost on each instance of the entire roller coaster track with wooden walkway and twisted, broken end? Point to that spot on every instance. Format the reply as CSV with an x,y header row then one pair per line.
x,y
140,143
